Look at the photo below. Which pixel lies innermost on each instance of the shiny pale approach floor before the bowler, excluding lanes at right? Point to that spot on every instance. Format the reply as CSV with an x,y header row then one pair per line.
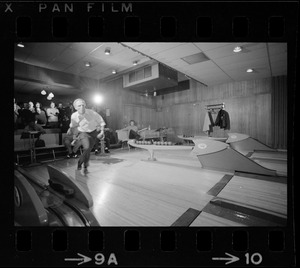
x,y
128,190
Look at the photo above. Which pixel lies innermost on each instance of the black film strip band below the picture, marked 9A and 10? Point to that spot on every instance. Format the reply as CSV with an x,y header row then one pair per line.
x,y
157,246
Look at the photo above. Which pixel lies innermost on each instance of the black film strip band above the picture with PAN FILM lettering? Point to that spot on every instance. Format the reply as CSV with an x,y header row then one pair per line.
x,y
163,21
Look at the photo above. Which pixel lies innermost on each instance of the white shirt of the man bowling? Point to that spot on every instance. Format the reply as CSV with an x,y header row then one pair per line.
x,y
87,122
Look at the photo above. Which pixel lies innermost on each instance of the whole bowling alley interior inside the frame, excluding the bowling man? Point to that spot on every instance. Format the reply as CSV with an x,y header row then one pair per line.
x,y
209,146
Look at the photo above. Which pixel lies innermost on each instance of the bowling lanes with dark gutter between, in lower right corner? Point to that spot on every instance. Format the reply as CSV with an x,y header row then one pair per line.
x,y
249,200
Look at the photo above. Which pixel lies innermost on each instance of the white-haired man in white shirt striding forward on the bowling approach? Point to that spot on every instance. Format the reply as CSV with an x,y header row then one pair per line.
x,y
89,124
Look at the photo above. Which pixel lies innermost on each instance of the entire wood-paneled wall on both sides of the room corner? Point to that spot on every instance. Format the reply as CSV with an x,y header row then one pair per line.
x,y
247,102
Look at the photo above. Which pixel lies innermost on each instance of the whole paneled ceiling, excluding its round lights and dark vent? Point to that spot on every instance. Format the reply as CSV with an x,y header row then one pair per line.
x,y
223,66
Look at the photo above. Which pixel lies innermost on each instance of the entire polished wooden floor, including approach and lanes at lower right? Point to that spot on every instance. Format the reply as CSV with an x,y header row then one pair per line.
x,y
129,190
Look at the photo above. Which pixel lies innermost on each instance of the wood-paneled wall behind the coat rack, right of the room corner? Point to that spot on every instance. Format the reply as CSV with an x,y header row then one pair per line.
x,y
248,104
